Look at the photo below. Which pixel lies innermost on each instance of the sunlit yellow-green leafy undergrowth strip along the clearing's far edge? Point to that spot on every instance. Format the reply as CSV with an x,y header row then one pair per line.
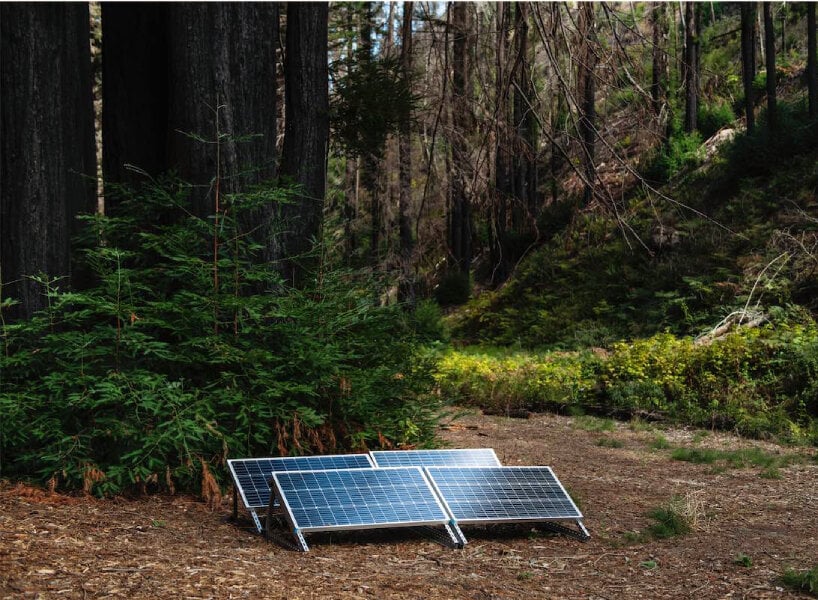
x,y
760,382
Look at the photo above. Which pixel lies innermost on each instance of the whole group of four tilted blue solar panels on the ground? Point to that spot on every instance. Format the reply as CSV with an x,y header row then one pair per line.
x,y
402,489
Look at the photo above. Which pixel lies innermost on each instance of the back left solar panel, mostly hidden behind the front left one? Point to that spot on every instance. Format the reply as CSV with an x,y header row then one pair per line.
x,y
252,475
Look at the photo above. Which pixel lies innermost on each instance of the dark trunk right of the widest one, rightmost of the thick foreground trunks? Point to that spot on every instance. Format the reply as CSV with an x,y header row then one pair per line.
x,y
304,158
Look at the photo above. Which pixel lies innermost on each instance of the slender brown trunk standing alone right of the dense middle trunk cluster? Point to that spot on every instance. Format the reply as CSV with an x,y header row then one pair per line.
x,y
587,94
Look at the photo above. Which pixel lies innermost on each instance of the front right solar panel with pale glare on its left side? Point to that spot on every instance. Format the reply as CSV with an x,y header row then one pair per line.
x,y
504,494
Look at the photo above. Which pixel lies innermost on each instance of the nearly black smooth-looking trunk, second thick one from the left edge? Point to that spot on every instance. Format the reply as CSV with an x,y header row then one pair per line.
x,y
134,91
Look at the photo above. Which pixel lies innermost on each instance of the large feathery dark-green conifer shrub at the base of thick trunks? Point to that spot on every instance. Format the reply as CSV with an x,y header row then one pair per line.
x,y
155,374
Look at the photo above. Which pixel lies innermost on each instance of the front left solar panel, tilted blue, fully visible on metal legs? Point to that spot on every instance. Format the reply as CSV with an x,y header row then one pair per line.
x,y
358,499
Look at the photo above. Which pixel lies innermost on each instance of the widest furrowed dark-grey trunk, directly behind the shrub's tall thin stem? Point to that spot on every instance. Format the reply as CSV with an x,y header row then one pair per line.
x,y
223,85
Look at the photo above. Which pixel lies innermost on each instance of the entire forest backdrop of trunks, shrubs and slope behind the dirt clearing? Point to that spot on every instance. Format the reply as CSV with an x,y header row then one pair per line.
x,y
232,229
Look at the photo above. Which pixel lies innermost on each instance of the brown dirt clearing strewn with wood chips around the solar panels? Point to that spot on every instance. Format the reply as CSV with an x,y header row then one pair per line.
x,y
55,546
